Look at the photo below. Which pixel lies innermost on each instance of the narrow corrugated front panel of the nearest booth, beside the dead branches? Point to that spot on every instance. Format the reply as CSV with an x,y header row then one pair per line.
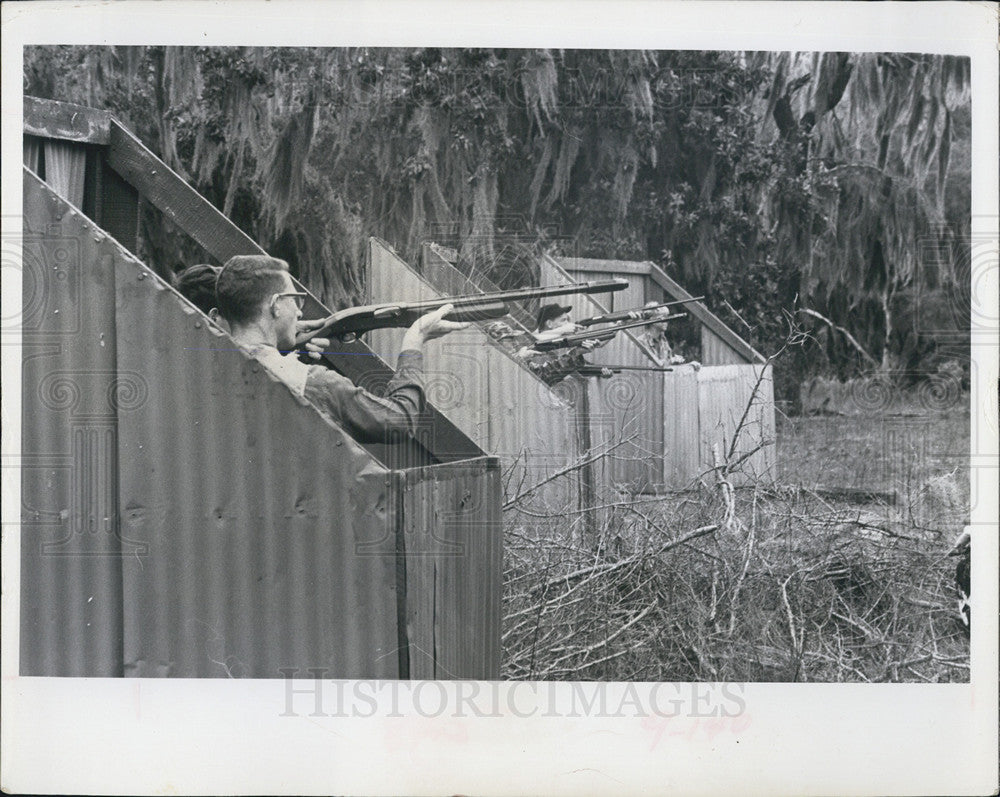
x,y
454,570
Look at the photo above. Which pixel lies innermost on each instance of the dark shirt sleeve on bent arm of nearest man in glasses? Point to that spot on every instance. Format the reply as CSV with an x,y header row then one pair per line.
x,y
370,418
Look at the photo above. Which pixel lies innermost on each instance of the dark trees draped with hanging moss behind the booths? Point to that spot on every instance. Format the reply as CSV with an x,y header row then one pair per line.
x,y
770,182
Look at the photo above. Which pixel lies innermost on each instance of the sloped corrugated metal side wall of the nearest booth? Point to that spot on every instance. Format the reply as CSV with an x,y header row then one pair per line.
x,y
255,535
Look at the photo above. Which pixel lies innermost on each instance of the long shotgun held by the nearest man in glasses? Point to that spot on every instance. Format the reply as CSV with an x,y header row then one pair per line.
x,y
355,321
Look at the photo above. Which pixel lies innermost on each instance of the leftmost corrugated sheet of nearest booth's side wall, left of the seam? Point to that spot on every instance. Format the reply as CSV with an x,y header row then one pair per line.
x,y
71,603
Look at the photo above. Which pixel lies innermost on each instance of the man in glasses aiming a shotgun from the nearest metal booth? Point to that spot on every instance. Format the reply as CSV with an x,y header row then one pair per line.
x,y
257,298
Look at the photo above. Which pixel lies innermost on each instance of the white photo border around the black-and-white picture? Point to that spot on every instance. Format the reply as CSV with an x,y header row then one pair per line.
x,y
213,736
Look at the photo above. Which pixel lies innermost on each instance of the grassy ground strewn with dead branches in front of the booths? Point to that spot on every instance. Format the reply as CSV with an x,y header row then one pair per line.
x,y
838,572
